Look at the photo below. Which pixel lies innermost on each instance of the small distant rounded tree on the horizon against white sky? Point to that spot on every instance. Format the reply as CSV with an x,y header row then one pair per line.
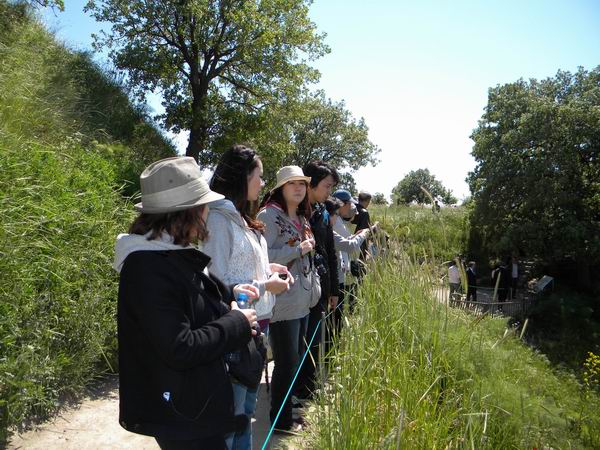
x,y
413,186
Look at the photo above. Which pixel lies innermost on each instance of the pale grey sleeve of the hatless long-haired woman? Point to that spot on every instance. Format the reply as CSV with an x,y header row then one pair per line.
x,y
219,243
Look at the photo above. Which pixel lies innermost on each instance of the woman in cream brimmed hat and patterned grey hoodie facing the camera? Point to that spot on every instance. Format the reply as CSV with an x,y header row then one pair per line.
x,y
289,238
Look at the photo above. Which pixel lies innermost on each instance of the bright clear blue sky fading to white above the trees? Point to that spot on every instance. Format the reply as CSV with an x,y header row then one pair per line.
x,y
418,72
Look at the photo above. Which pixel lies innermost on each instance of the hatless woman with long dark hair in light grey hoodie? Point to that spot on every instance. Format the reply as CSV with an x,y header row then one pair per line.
x,y
239,254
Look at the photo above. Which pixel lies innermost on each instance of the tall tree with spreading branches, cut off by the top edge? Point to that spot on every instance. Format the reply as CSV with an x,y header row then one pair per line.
x,y
208,57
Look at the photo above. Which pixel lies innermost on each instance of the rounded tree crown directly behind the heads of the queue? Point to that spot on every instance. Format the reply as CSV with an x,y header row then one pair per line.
x,y
301,130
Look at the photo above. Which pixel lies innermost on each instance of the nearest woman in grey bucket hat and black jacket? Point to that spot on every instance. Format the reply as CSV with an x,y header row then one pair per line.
x,y
176,321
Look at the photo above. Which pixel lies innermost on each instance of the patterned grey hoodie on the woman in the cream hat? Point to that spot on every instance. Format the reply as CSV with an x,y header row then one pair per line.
x,y
283,239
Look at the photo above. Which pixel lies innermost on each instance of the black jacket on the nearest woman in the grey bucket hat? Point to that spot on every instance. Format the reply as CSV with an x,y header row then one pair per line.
x,y
172,339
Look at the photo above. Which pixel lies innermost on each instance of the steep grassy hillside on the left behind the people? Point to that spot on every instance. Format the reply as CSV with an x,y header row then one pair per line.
x,y
71,144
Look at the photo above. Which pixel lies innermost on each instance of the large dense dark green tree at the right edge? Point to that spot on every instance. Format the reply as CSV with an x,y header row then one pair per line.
x,y
536,185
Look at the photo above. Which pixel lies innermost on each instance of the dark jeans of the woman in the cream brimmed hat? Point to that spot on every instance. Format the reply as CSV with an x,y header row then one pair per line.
x,y
287,343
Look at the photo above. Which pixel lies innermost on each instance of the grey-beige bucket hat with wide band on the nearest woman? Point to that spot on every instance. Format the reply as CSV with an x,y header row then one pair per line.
x,y
173,184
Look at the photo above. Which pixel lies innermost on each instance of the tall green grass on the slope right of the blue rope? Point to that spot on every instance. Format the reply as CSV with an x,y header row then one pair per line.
x,y
410,372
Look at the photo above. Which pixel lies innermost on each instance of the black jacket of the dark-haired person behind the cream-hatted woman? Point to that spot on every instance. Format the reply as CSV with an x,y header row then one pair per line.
x,y
325,247
